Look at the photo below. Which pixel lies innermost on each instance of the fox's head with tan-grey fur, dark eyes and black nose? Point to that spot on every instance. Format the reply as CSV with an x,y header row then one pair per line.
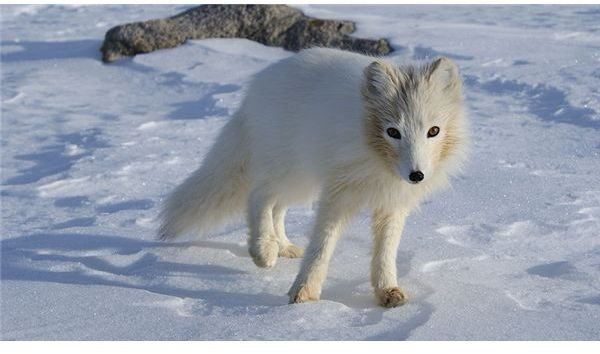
x,y
414,118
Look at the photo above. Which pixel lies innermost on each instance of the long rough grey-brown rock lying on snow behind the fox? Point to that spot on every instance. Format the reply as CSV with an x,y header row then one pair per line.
x,y
272,25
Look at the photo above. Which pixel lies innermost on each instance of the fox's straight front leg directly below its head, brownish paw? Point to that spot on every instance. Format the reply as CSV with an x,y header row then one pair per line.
x,y
387,229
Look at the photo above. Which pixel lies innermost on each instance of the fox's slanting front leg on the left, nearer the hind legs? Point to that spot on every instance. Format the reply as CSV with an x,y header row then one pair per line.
x,y
335,211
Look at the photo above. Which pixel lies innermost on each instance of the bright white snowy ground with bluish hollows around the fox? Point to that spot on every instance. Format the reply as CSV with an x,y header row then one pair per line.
x,y
90,150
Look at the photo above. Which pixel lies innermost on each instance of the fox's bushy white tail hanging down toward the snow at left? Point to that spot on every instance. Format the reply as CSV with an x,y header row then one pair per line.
x,y
214,193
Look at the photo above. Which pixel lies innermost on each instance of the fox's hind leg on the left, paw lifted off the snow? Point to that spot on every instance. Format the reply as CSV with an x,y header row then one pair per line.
x,y
262,244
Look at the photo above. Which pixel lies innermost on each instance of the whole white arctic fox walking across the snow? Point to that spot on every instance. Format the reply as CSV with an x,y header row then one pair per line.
x,y
349,130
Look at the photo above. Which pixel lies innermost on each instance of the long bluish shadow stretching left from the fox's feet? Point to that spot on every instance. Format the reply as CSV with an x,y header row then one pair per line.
x,y
26,258
